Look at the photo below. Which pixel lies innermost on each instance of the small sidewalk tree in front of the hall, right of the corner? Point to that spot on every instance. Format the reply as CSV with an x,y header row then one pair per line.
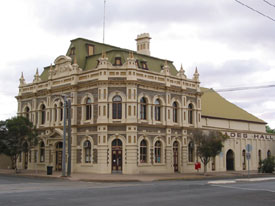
x,y
209,144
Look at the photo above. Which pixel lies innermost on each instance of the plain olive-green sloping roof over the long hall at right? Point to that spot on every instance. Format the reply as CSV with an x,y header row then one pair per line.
x,y
214,105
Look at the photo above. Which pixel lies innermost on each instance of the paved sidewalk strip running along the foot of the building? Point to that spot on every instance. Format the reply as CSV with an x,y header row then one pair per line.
x,y
139,177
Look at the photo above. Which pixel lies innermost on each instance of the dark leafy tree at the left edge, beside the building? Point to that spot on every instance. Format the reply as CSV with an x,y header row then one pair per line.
x,y
17,135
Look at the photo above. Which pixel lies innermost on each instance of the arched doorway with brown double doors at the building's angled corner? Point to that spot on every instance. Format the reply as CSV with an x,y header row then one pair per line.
x,y
117,155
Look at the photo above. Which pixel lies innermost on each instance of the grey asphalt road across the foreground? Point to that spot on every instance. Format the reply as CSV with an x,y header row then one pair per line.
x,y
23,191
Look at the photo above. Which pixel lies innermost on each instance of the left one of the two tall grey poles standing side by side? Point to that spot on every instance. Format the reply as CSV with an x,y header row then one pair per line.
x,y
64,137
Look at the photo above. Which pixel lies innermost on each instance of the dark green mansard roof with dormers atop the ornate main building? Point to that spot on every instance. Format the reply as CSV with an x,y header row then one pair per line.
x,y
90,62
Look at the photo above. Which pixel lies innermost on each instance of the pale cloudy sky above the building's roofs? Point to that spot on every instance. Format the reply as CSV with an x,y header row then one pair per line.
x,y
231,45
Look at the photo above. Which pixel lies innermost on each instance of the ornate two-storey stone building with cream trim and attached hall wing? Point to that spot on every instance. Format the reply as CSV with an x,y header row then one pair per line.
x,y
131,113
